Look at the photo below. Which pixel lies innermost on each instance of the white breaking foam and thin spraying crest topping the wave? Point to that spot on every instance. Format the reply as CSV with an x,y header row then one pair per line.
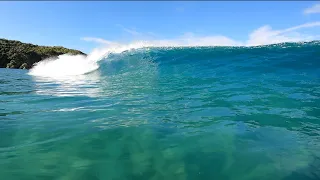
x,y
73,65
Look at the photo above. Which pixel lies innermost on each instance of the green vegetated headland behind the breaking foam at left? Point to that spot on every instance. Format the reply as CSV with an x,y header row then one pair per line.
x,y
18,55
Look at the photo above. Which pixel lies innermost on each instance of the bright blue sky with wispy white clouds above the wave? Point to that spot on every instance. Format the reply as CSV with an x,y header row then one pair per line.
x,y
86,25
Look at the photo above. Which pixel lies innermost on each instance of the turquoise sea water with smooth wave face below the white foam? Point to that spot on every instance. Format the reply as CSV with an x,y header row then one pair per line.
x,y
230,113
